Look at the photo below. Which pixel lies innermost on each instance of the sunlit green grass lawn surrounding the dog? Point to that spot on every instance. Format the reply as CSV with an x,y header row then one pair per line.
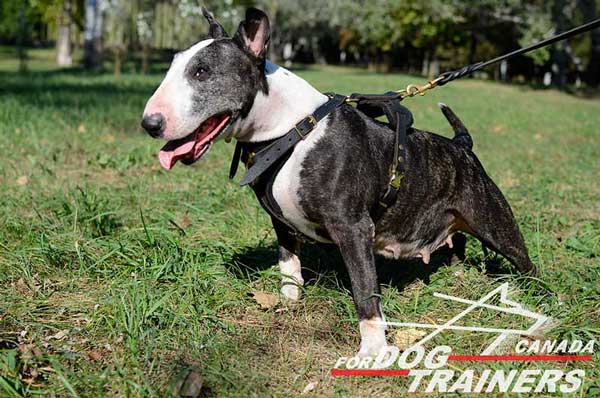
x,y
118,278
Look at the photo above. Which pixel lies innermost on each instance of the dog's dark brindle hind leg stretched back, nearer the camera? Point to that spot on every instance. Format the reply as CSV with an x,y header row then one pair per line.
x,y
490,219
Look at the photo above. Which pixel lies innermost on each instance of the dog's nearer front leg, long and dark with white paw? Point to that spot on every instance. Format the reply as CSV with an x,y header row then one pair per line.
x,y
355,241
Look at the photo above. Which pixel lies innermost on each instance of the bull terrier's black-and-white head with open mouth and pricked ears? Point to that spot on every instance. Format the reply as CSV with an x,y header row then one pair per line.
x,y
208,87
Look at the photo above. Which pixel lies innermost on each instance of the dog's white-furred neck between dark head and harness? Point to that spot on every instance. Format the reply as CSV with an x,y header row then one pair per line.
x,y
288,101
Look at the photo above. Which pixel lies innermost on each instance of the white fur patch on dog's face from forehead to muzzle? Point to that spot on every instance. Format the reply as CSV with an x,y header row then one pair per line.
x,y
173,98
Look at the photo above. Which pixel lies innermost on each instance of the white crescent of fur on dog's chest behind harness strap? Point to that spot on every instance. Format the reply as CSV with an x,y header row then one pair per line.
x,y
287,185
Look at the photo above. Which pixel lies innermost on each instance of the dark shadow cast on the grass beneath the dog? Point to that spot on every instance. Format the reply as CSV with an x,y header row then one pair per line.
x,y
319,260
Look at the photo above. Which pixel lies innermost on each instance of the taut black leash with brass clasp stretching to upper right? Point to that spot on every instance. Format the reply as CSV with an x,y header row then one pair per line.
x,y
446,77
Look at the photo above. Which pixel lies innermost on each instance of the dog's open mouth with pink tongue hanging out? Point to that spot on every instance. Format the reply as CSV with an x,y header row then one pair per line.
x,y
191,148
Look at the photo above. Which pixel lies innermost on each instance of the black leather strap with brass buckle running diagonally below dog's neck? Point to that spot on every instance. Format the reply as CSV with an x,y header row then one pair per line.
x,y
269,155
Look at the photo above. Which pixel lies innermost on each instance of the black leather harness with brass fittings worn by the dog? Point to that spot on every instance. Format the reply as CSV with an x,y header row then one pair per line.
x,y
265,159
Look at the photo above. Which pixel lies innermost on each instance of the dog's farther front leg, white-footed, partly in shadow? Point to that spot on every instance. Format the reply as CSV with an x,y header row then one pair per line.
x,y
289,263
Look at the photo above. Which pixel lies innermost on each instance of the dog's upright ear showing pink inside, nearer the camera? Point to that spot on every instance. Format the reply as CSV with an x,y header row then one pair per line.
x,y
254,33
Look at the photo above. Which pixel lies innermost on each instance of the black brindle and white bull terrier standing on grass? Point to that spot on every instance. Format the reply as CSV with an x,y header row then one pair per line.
x,y
225,88
